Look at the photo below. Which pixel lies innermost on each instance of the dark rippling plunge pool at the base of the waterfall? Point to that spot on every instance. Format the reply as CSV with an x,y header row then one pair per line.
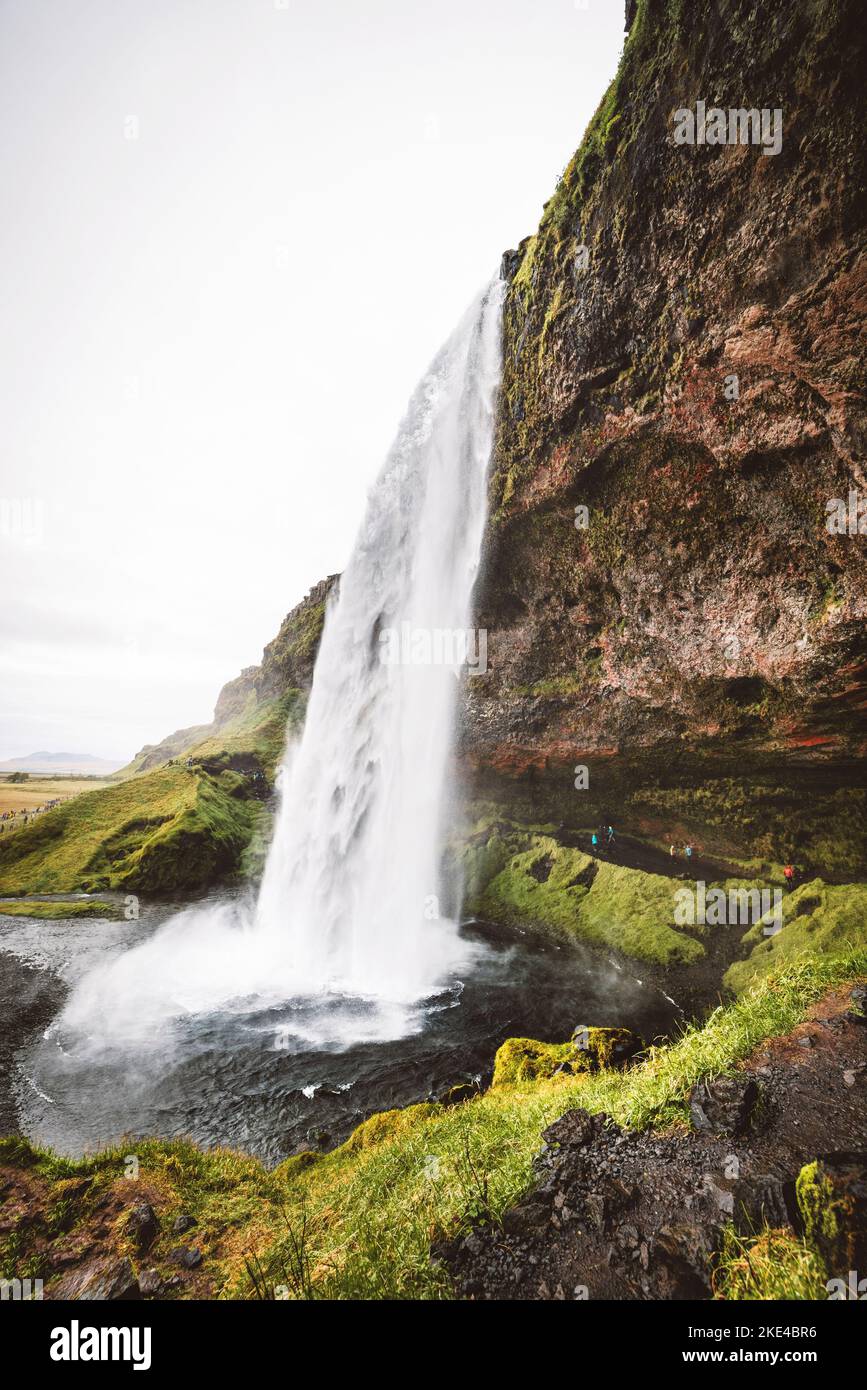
x,y
281,1079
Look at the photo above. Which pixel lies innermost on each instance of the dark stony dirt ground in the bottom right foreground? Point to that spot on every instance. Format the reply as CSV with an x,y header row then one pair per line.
x,y
638,1216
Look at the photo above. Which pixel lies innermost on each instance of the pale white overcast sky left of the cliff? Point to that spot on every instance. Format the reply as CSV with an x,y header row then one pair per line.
x,y
210,330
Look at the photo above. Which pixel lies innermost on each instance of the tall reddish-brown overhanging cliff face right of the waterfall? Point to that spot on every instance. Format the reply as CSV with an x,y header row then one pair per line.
x,y
684,359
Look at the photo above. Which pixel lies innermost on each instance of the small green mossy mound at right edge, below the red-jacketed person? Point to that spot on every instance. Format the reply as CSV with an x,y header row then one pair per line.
x,y
818,919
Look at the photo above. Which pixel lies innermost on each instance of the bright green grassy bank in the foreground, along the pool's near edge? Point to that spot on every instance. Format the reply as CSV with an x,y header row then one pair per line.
x,y
359,1223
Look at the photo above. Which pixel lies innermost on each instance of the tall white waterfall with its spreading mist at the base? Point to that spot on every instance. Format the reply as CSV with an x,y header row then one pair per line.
x,y
351,897
